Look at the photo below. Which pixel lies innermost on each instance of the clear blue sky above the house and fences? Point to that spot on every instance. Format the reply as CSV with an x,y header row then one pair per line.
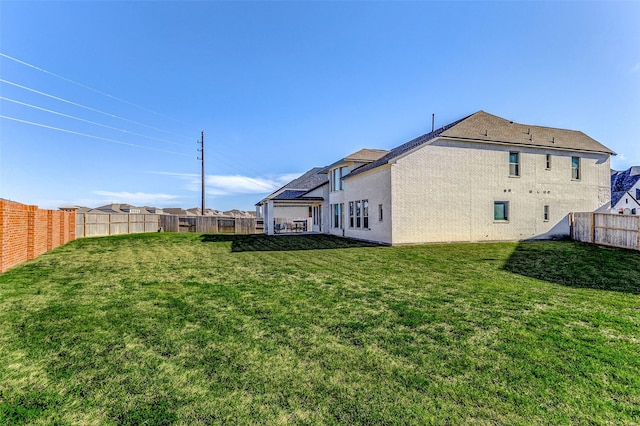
x,y
125,88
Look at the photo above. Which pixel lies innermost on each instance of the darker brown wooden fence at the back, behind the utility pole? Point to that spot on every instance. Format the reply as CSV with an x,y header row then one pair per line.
x,y
208,224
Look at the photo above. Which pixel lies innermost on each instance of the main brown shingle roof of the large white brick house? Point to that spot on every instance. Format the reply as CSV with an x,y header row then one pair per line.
x,y
487,128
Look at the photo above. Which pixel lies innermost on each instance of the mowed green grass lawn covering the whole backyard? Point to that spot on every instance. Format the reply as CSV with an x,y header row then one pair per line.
x,y
211,329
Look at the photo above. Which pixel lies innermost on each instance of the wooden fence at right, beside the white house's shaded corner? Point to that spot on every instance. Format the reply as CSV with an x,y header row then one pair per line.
x,y
607,229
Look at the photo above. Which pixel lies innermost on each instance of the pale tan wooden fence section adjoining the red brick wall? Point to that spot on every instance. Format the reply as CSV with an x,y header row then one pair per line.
x,y
102,224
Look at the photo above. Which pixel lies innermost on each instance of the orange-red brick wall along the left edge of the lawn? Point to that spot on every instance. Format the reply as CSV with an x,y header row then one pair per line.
x,y
27,231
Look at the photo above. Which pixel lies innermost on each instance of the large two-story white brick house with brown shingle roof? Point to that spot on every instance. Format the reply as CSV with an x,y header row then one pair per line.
x,y
481,178
